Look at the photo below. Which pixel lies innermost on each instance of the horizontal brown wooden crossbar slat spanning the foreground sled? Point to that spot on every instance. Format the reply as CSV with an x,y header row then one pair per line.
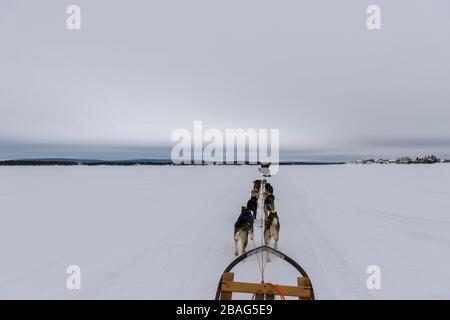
x,y
264,288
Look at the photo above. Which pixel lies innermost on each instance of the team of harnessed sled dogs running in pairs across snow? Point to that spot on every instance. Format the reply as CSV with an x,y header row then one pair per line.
x,y
243,228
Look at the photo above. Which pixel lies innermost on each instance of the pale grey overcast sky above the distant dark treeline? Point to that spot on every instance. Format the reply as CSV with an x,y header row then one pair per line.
x,y
137,70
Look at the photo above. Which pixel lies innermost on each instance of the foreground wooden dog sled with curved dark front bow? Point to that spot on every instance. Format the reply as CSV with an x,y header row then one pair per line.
x,y
264,290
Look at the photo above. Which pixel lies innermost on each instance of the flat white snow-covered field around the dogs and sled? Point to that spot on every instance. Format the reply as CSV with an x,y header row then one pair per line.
x,y
166,232
